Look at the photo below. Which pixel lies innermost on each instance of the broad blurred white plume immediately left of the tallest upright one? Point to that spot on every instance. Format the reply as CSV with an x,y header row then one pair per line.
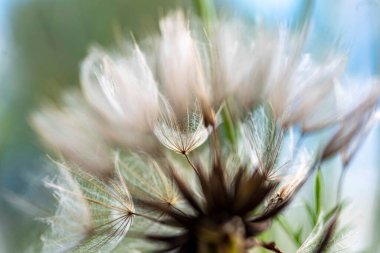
x,y
122,89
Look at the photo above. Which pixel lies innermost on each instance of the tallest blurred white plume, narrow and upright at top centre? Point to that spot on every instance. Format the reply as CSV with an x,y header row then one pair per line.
x,y
180,66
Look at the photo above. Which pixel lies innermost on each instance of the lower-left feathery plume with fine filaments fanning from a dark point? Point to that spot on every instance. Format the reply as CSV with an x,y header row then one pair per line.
x,y
92,215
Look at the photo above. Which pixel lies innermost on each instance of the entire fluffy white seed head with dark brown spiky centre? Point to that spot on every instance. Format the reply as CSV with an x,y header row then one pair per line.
x,y
195,143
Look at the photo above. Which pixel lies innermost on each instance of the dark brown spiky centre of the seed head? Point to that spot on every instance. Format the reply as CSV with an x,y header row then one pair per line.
x,y
222,218
